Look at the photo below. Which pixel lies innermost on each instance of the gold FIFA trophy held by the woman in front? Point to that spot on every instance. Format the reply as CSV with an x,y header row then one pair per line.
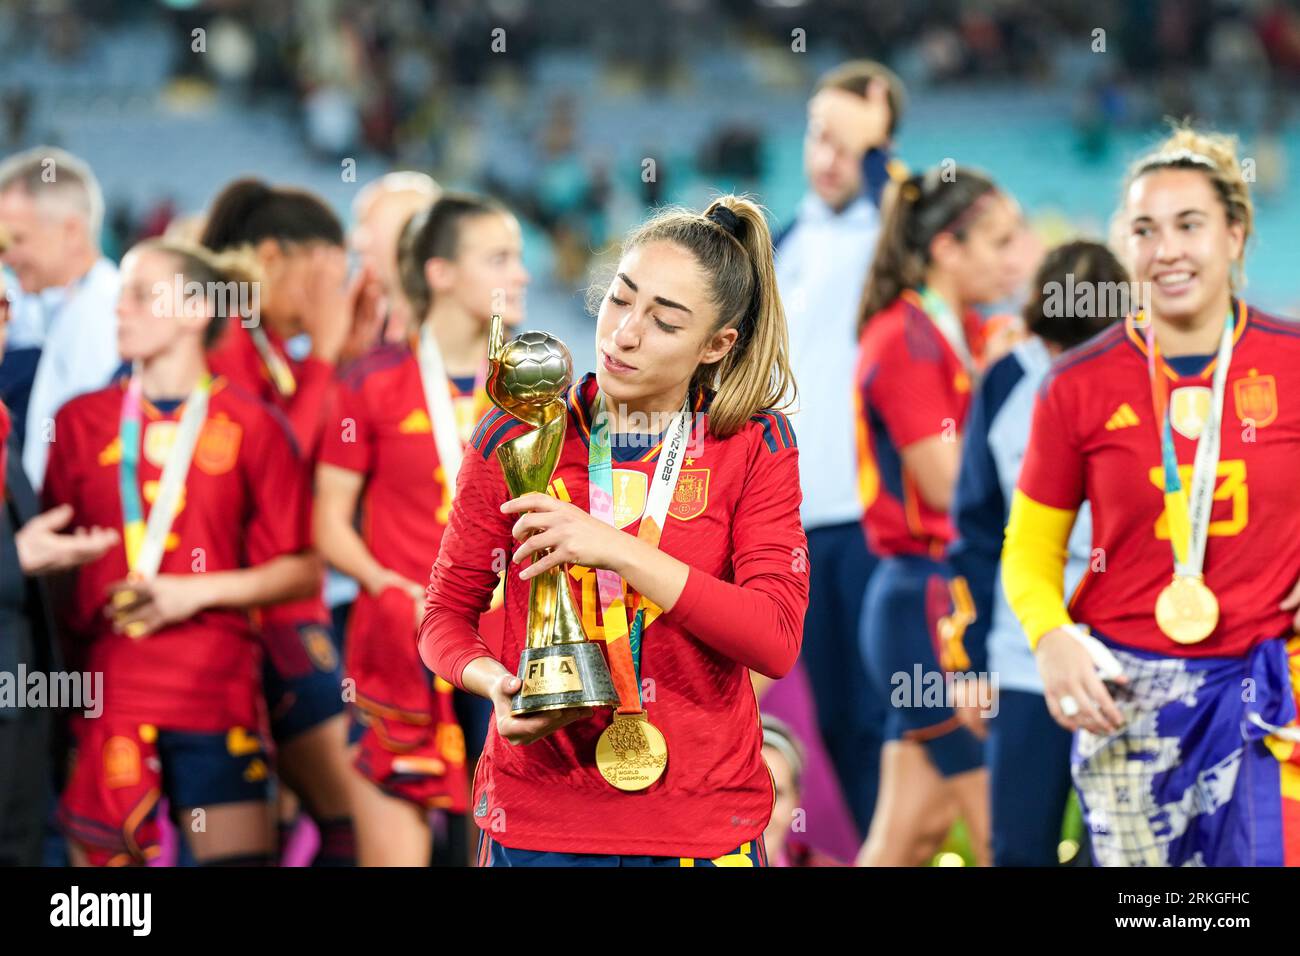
x,y
527,378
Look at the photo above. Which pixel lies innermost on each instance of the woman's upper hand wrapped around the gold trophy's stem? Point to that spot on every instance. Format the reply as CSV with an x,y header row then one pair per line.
x,y
562,534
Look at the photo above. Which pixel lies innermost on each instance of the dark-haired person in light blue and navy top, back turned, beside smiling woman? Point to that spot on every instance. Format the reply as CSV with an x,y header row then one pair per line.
x,y
1024,742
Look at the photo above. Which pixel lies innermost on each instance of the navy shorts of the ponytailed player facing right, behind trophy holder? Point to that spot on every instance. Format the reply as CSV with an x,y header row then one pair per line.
x,y
902,663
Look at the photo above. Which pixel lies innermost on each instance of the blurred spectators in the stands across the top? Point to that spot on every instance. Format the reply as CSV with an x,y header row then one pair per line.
x,y
400,80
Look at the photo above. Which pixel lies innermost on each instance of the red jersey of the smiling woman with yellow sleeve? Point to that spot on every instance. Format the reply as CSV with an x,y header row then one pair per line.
x,y
1095,439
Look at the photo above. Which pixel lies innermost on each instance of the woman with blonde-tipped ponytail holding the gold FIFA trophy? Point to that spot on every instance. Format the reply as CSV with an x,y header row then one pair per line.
x,y
674,516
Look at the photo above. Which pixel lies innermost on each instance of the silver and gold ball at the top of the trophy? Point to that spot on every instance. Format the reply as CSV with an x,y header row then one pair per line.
x,y
528,375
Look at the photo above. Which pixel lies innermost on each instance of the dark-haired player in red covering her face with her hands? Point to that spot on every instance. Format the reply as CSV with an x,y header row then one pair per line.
x,y
298,244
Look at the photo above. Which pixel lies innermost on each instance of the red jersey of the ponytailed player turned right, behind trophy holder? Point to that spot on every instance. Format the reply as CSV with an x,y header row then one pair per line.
x,y
911,386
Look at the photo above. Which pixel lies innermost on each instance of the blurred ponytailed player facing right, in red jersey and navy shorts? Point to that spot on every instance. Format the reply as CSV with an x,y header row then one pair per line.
x,y
947,246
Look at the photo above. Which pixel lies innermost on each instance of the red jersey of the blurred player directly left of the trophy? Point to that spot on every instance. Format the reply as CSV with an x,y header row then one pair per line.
x,y
383,431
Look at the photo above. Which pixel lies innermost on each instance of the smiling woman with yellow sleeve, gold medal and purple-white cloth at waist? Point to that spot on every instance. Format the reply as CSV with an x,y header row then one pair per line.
x,y
1181,427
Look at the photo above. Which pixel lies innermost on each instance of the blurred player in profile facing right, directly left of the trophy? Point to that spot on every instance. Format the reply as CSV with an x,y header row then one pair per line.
x,y
404,416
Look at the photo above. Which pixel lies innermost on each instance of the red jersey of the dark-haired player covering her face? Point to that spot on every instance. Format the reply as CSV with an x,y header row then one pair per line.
x,y
237,360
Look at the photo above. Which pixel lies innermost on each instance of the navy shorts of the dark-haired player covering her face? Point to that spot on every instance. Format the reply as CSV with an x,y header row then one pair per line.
x,y
302,678
